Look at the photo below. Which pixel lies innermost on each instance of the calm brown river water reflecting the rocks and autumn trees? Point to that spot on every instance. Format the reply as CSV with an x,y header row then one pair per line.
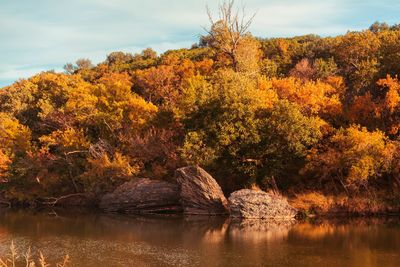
x,y
115,240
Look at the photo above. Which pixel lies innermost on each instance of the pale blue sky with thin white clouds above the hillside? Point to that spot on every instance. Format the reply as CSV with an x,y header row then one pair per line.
x,y
40,35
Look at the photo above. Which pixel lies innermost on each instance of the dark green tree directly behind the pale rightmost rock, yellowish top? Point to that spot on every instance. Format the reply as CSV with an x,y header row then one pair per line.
x,y
286,137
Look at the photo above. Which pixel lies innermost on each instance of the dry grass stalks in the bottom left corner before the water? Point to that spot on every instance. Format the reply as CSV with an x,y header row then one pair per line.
x,y
27,259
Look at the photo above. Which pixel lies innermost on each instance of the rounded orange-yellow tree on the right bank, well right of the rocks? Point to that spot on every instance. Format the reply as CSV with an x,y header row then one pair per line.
x,y
353,158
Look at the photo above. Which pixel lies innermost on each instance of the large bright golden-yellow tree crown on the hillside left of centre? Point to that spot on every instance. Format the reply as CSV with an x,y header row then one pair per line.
x,y
110,102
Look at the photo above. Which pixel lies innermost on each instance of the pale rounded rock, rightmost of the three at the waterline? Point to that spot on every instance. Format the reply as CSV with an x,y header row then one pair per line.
x,y
253,204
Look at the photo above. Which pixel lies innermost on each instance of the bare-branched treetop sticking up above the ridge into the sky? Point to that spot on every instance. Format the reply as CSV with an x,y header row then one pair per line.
x,y
227,32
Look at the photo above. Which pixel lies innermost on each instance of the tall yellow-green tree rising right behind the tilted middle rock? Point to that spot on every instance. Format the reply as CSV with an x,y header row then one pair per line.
x,y
222,123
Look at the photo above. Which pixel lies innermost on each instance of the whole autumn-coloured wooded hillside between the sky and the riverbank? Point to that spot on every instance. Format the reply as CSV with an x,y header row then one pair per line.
x,y
297,114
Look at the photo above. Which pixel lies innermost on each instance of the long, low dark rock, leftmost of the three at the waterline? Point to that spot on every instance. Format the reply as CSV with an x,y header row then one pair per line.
x,y
143,196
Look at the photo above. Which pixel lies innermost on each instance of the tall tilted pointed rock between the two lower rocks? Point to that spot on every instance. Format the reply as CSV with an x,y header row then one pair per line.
x,y
200,193
